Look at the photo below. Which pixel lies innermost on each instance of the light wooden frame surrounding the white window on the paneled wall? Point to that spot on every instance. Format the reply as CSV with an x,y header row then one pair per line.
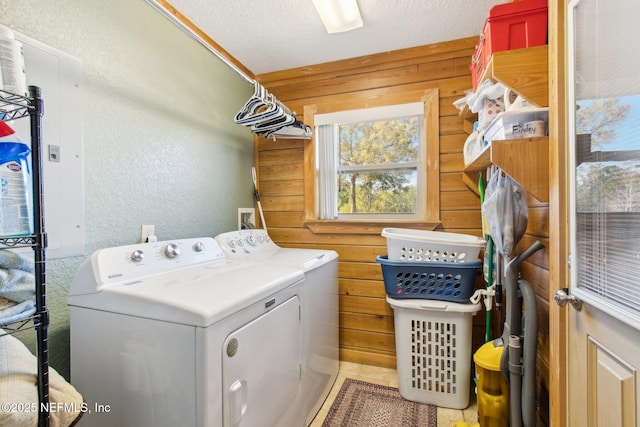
x,y
430,209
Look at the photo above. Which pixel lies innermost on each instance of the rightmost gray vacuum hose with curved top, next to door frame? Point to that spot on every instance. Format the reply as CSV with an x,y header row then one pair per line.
x,y
530,348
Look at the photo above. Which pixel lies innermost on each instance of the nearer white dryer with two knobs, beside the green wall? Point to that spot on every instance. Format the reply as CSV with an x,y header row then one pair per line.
x,y
170,333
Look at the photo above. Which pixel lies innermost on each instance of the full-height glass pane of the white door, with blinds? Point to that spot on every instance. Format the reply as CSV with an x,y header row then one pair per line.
x,y
606,135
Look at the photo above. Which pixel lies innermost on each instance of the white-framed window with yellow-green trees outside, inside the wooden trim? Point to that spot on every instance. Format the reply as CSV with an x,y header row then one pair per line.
x,y
370,163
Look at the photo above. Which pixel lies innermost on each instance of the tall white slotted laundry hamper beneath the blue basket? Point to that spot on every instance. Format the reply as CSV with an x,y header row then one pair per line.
x,y
433,350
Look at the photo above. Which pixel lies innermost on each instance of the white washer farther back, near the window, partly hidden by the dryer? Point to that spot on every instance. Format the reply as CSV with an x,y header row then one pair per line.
x,y
319,304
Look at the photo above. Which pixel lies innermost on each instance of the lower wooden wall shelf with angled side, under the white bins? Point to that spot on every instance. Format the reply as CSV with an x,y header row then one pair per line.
x,y
525,160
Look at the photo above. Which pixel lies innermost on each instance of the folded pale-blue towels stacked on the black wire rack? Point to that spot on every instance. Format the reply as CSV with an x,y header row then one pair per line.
x,y
16,276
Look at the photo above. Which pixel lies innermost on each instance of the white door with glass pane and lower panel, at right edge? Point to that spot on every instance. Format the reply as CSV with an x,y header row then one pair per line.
x,y
604,127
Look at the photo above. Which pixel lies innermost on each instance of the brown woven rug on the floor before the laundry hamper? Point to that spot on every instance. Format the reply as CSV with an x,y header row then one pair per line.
x,y
362,404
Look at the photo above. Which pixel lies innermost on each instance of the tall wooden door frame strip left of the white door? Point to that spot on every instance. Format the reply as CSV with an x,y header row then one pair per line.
x,y
558,212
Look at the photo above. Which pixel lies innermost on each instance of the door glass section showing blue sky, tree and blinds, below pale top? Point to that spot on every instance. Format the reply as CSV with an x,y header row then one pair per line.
x,y
608,197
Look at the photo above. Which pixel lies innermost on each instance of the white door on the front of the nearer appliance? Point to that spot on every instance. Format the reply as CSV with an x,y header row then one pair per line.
x,y
261,364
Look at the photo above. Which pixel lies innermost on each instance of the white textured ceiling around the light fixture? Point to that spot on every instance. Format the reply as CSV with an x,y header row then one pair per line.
x,y
272,35
